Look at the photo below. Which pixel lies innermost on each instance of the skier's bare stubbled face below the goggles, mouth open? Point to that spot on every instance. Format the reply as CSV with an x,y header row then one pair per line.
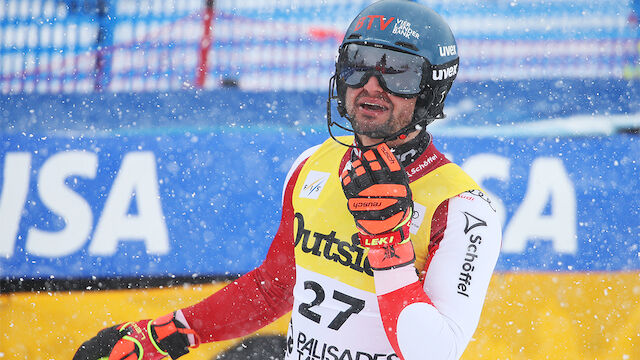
x,y
377,113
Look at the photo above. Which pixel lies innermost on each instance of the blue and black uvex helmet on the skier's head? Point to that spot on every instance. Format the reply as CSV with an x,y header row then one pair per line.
x,y
411,28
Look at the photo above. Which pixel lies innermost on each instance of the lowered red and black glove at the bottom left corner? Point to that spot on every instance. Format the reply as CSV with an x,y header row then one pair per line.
x,y
146,339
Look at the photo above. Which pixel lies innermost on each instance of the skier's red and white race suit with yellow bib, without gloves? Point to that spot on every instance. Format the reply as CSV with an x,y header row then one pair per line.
x,y
341,309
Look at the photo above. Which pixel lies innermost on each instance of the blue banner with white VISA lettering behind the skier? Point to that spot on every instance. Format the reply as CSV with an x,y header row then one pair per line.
x,y
207,202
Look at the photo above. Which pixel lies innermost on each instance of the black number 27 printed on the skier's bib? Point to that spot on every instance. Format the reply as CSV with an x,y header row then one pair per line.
x,y
355,305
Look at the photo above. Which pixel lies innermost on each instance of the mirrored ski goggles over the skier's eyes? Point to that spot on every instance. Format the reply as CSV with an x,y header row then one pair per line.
x,y
398,73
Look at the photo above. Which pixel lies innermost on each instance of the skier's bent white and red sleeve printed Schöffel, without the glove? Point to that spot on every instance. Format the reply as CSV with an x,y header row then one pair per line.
x,y
438,319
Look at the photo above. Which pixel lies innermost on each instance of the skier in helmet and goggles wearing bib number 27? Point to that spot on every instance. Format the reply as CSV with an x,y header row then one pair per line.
x,y
385,248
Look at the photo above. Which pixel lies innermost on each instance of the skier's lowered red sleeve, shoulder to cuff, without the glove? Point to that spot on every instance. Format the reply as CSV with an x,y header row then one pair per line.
x,y
260,296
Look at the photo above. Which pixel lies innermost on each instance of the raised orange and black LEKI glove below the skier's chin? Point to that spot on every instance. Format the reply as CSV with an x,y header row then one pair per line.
x,y
379,198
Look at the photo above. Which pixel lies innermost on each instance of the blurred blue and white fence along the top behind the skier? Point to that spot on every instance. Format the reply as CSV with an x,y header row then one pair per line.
x,y
80,46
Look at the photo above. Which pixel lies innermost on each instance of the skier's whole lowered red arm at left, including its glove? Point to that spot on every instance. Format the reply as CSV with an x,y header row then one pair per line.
x,y
247,304
